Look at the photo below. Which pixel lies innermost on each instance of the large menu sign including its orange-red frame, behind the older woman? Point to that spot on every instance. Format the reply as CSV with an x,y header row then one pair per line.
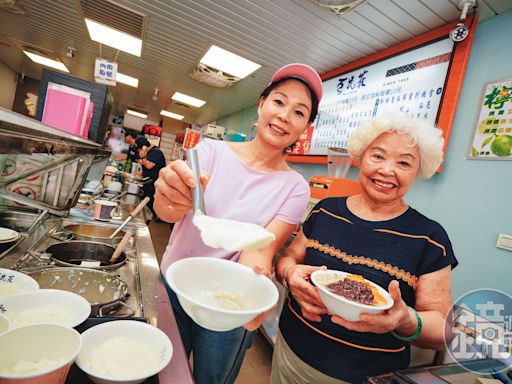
x,y
421,77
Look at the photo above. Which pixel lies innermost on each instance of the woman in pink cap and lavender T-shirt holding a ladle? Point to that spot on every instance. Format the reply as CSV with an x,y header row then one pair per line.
x,y
250,182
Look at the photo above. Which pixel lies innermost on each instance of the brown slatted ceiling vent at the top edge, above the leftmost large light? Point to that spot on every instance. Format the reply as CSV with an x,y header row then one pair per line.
x,y
114,16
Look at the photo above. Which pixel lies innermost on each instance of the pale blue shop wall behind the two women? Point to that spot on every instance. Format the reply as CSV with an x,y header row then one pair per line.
x,y
470,198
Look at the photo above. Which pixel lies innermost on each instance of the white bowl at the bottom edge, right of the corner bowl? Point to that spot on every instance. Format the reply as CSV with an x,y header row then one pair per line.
x,y
123,352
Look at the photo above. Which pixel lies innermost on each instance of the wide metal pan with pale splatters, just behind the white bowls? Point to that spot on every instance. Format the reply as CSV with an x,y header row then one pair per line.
x,y
105,293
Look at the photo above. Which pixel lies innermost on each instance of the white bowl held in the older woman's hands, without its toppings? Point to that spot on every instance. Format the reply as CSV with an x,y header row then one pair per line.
x,y
339,305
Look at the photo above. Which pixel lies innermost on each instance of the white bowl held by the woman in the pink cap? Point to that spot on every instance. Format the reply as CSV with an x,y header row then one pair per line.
x,y
207,286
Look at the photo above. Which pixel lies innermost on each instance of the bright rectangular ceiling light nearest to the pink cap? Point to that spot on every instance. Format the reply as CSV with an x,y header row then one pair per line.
x,y
228,62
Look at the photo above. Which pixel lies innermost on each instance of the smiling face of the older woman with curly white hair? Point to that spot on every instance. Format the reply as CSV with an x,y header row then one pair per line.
x,y
389,166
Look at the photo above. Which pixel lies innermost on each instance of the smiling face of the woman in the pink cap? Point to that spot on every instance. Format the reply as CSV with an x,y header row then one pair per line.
x,y
284,114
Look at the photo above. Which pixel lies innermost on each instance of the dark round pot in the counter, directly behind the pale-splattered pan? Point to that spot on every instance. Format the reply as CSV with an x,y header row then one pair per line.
x,y
76,253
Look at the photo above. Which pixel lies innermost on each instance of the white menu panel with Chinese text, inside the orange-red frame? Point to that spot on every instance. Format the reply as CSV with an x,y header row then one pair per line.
x,y
411,82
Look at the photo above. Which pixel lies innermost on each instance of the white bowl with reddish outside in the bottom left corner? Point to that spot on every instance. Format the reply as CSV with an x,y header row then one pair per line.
x,y
34,344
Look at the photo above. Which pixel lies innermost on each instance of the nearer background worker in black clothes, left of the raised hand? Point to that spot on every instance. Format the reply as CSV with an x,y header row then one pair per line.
x,y
152,160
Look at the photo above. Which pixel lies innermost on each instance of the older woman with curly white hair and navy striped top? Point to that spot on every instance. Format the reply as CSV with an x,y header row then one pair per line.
x,y
375,234
